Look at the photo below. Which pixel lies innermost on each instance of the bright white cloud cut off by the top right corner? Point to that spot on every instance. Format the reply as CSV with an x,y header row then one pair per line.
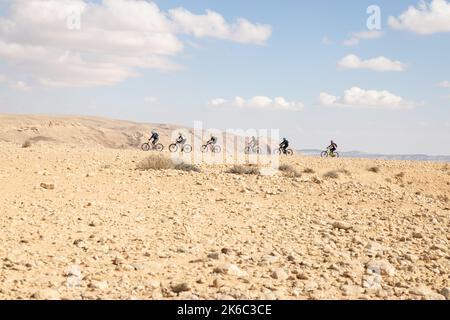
x,y
427,18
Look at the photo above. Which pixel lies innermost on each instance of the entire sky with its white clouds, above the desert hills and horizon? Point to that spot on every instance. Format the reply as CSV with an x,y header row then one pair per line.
x,y
316,70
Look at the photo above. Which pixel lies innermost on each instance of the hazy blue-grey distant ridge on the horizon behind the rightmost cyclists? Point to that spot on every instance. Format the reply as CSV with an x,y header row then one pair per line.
x,y
364,155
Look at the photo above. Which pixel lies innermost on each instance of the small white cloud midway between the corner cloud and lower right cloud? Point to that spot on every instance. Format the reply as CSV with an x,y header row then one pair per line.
x,y
352,61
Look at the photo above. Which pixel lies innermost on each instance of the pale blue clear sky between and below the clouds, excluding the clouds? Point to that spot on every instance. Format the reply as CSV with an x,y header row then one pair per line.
x,y
294,62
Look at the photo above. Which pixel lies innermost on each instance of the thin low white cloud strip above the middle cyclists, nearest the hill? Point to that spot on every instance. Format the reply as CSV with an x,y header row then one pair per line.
x,y
258,102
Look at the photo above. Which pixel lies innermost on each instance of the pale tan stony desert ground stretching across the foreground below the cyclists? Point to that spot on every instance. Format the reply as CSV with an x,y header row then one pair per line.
x,y
83,223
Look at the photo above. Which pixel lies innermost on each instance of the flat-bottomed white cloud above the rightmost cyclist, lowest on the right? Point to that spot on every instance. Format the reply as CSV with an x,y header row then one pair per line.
x,y
360,98
